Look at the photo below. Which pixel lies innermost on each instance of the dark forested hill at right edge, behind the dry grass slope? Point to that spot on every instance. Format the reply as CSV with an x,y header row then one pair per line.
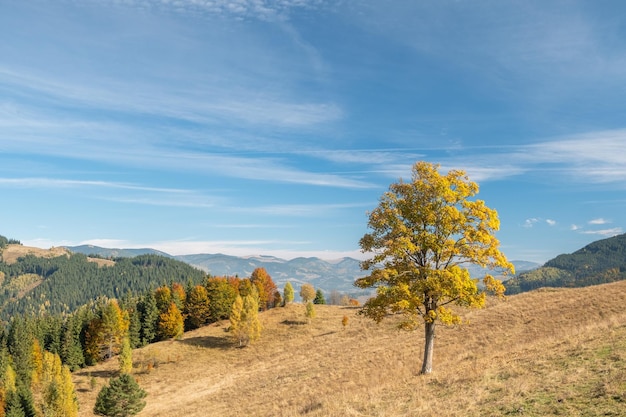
x,y
599,262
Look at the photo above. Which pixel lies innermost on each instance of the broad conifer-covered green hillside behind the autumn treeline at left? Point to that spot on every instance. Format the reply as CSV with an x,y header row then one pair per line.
x,y
62,283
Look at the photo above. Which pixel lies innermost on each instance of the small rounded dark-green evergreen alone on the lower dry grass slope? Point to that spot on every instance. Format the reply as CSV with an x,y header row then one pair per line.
x,y
123,397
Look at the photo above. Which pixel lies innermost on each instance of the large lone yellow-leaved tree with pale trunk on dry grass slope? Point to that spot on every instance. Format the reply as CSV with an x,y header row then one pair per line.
x,y
424,234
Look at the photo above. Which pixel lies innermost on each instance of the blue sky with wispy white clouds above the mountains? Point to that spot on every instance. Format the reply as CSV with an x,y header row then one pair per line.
x,y
272,126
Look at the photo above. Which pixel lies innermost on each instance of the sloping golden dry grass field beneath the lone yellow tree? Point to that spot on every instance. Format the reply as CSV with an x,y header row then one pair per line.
x,y
558,352
